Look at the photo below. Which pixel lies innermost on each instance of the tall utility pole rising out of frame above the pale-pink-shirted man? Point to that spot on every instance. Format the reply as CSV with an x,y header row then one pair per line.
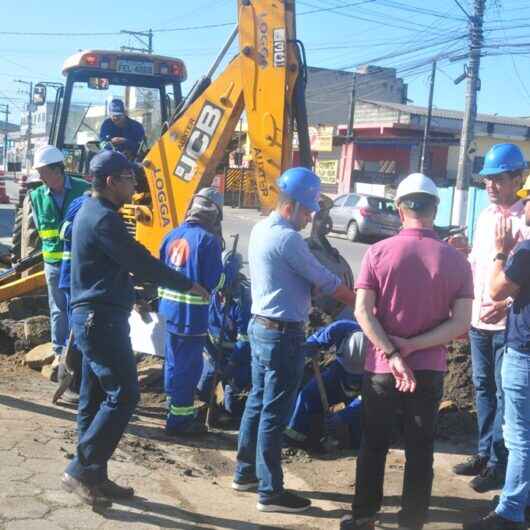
x,y
468,126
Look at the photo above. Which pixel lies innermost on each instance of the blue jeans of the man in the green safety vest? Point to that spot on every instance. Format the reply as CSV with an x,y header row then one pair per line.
x,y
58,309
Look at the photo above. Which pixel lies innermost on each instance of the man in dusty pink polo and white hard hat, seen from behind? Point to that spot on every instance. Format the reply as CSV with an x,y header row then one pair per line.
x,y
414,295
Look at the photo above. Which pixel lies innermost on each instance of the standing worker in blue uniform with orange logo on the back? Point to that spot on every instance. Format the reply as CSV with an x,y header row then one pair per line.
x,y
194,248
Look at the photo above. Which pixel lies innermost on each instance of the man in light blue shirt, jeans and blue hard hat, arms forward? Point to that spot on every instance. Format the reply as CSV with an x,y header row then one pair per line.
x,y
282,273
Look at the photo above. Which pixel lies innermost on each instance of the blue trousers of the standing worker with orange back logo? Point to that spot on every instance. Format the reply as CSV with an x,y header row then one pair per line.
x,y
182,371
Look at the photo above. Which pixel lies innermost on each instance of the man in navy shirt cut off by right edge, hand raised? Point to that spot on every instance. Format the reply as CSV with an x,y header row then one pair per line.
x,y
511,278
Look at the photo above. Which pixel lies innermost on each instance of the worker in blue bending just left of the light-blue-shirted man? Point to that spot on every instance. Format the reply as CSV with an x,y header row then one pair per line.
x,y
232,350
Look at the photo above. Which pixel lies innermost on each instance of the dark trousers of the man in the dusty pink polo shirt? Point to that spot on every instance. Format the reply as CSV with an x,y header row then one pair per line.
x,y
381,401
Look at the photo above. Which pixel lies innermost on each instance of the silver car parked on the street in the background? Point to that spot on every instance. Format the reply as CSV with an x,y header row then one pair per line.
x,y
364,216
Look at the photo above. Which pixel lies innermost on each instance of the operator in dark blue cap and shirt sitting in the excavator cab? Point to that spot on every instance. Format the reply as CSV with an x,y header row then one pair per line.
x,y
121,131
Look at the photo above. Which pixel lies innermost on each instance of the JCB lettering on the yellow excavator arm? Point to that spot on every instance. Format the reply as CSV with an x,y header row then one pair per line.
x,y
198,141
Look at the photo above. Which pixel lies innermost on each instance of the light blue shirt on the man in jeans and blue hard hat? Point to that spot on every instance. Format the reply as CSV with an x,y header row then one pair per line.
x,y
283,271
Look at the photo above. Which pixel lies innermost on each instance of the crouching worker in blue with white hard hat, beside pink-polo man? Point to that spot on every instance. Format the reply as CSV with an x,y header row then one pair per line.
x,y
342,381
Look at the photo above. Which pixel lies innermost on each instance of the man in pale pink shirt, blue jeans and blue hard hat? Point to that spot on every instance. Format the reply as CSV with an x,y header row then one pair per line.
x,y
502,174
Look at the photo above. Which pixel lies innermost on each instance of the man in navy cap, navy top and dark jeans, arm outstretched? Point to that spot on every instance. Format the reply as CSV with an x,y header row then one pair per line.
x,y
104,255
